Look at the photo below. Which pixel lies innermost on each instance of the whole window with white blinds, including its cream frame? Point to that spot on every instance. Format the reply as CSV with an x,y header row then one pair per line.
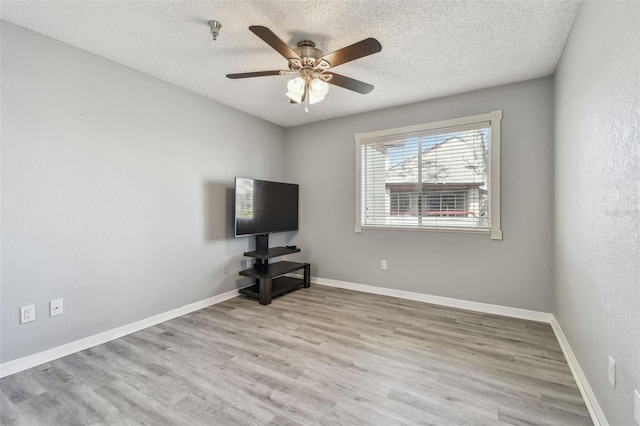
x,y
439,176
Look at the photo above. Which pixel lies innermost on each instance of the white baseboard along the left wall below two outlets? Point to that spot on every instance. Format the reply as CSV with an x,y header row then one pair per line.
x,y
24,363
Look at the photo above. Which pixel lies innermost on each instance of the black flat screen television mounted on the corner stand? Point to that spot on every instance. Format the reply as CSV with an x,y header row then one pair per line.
x,y
264,207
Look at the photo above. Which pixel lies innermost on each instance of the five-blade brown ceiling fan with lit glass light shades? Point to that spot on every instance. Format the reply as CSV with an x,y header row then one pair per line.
x,y
313,67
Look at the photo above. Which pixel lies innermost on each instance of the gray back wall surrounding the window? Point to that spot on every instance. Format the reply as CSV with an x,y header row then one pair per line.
x,y
515,272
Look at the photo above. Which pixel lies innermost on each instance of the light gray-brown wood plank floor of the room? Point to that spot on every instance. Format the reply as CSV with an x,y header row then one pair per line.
x,y
318,356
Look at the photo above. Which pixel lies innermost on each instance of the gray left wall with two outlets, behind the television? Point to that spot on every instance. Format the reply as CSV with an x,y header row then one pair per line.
x,y
114,192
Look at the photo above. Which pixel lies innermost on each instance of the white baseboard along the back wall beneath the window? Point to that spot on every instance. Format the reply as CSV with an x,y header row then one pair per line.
x,y
439,300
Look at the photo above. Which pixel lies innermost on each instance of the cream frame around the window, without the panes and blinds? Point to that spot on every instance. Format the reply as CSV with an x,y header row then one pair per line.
x,y
493,121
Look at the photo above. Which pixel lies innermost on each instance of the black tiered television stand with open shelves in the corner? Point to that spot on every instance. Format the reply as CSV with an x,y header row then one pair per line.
x,y
271,279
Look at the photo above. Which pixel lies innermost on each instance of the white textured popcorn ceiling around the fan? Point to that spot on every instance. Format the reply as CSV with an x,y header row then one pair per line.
x,y
430,49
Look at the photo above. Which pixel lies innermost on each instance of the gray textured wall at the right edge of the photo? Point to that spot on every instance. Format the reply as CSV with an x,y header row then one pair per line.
x,y
597,215
